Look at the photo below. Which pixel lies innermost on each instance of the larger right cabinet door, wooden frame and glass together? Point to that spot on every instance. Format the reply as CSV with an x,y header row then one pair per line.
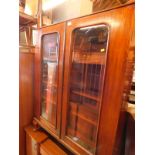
x,y
92,68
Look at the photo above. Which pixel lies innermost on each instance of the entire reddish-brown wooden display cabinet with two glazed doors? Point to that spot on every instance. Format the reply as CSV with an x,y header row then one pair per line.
x,y
79,79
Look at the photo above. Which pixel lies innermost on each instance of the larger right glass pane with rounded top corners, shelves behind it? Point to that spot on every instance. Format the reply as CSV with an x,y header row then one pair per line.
x,y
89,46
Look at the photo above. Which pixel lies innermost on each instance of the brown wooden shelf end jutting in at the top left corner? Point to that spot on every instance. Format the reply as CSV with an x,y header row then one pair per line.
x,y
25,19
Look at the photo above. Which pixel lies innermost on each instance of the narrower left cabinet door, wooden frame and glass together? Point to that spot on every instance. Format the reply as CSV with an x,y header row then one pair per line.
x,y
50,61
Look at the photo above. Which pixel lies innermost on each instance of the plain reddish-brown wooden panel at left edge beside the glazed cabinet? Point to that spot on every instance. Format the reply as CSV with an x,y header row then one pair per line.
x,y
26,62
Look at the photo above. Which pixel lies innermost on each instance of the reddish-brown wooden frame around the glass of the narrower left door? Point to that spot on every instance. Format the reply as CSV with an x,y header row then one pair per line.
x,y
60,28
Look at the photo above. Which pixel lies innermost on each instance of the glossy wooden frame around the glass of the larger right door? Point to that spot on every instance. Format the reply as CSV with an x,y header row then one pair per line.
x,y
120,21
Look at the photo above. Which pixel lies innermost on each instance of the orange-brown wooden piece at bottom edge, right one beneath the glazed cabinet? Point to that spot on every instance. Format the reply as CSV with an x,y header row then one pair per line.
x,y
48,147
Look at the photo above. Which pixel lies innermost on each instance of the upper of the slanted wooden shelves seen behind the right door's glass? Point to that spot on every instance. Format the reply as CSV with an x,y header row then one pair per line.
x,y
87,94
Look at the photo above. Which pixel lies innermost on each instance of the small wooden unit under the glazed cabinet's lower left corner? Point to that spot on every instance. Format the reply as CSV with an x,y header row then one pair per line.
x,y
33,140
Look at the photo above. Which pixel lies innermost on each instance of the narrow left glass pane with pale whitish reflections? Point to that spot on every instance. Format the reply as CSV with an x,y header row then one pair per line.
x,y
49,77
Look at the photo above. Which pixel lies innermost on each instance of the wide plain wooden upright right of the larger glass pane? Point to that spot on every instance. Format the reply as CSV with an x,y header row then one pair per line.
x,y
113,89
